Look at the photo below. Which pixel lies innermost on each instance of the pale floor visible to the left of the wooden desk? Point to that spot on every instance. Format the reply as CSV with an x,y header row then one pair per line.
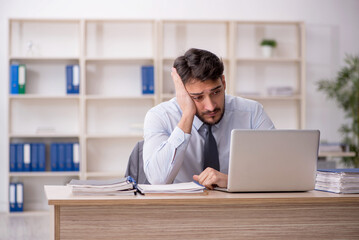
x,y
34,226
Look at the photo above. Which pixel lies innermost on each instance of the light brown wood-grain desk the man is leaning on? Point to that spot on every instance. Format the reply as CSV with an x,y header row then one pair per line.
x,y
213,215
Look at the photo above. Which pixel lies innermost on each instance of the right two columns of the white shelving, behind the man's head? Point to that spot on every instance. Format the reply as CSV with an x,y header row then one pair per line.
x,y
248,73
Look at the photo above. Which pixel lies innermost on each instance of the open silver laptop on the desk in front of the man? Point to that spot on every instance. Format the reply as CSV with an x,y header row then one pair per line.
x,y
272,160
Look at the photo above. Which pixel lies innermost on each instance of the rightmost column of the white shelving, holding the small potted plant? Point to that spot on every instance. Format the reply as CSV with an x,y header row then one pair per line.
x,y
253,74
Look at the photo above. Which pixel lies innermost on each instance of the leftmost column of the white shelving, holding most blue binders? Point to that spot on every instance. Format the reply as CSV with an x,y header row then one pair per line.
x,y
45,113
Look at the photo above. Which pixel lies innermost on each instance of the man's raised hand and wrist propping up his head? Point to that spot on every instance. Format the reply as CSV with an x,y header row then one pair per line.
x,y
185,102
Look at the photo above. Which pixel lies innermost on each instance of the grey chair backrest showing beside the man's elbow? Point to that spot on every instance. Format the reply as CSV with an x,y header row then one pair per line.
x,y
135,165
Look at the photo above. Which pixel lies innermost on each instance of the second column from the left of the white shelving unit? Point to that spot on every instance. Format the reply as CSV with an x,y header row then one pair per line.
x,y
115,51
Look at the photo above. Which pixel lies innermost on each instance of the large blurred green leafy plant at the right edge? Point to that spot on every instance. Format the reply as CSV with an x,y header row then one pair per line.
x,y
344,89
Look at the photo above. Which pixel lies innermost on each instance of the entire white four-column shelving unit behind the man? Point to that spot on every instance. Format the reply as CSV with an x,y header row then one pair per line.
x,y
106,117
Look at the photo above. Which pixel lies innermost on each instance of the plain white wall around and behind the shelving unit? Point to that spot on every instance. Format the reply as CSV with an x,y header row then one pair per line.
x,y
332,31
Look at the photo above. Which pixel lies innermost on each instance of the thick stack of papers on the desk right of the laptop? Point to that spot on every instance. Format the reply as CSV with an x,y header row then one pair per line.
x,y
338,180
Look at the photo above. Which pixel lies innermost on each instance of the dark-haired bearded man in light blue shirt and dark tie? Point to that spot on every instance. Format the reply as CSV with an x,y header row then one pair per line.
x,y
188,137
